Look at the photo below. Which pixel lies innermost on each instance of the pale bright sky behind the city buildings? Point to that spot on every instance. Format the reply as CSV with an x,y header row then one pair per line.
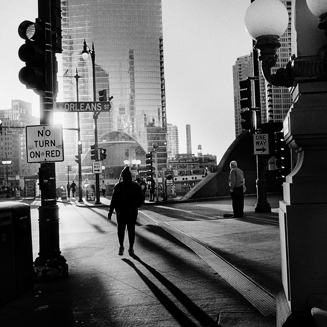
x,y
202,40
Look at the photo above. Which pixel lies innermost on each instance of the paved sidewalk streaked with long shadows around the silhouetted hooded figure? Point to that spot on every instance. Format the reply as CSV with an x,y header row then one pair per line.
x,y
163,285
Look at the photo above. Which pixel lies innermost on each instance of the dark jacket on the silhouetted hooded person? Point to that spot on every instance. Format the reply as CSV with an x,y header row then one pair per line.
x,y
126,197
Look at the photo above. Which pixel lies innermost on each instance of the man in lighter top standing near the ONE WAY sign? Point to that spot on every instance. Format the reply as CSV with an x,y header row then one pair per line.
x,y
236,183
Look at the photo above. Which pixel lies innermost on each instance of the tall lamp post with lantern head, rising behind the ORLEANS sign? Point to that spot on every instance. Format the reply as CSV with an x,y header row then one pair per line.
x,y
85,54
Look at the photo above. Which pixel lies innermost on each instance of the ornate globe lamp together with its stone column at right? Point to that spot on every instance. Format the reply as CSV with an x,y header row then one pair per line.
x,y
302,213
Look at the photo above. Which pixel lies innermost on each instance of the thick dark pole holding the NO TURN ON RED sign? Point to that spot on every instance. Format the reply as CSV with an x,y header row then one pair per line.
x,y
50,264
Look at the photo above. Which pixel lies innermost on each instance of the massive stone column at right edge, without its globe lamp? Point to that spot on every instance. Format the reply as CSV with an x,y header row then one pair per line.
x,y
303,211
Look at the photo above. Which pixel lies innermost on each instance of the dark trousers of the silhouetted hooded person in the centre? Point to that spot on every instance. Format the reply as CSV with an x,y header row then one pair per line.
x,y
126,219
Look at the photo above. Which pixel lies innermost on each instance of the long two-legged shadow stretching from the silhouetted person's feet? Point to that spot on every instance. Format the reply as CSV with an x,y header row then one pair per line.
x,y
197,313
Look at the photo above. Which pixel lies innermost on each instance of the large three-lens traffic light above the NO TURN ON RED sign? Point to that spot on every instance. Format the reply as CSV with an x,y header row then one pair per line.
x,y
33,53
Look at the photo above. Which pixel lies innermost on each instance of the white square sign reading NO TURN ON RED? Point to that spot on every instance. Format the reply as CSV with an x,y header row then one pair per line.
x,y
44,143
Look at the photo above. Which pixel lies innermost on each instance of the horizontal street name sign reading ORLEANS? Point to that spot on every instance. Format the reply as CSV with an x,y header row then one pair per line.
x,y
89,106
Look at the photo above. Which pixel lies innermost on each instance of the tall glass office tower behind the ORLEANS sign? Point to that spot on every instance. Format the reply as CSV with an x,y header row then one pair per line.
x,y
128,47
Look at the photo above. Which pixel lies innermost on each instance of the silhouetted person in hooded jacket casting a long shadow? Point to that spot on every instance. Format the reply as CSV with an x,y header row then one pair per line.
x,y
127,197
